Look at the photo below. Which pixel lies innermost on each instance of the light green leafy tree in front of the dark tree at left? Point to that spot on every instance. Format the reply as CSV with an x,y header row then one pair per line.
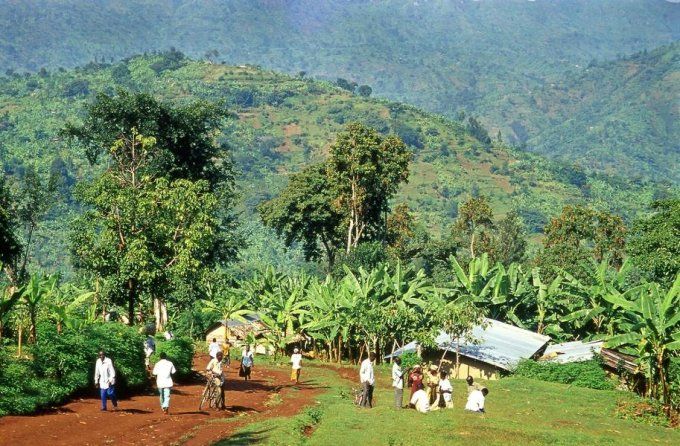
x,y
146,236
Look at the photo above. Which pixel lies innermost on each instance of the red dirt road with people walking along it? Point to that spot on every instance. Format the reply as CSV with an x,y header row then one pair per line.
x,y
139,420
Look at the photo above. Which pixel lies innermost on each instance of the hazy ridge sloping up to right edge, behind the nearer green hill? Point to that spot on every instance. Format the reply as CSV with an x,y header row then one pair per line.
x,y
621,116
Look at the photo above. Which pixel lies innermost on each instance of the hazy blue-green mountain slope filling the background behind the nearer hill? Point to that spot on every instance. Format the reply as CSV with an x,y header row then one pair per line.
x,y
495,58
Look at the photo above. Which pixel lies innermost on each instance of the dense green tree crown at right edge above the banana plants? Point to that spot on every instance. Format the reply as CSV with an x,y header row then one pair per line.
x,y
654,243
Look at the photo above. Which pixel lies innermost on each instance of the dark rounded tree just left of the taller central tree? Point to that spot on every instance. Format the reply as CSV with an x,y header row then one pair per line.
x,y
304,213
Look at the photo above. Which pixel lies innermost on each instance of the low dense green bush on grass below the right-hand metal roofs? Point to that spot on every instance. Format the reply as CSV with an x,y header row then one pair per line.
x,y
582,374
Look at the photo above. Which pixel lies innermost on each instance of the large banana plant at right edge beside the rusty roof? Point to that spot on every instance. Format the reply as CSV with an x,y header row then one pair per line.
x,y
649,327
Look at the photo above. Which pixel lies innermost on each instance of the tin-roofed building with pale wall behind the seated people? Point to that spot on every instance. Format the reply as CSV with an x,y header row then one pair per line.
x,y
493,347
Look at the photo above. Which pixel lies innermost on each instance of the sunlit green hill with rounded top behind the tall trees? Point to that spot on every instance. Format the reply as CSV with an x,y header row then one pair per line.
x,y
280,124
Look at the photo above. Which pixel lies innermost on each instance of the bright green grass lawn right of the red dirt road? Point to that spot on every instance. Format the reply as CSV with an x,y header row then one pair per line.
x,y
519,411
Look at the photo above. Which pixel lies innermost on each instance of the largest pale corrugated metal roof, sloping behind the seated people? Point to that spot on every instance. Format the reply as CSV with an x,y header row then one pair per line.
x,y
493,342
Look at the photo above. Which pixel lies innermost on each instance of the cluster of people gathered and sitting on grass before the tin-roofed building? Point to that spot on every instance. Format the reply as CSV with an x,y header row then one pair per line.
x,y
433,390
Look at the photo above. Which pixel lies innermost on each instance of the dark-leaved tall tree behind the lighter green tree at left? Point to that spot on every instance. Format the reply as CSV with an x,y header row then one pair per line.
x,y
185,147
